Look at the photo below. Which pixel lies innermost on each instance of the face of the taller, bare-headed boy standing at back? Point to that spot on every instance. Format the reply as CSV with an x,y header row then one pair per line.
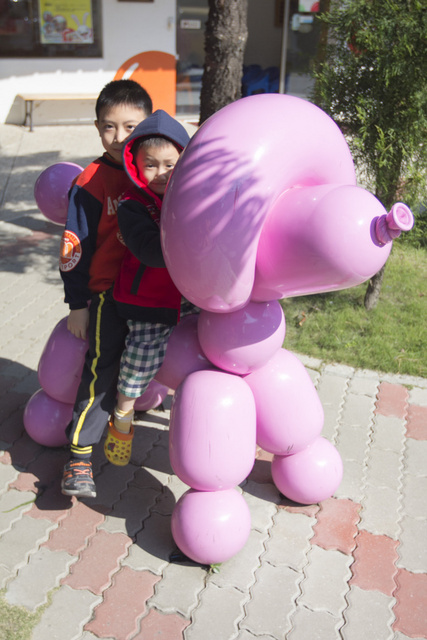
x,y
115,125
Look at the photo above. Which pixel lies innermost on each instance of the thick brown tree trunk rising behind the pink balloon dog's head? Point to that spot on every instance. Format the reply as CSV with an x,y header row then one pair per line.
x,y
225,41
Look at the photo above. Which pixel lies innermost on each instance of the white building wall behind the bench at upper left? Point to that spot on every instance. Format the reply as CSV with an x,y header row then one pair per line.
x,y
128,29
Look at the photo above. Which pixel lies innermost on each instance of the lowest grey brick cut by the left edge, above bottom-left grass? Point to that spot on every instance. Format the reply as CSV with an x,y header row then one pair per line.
x,y
22,539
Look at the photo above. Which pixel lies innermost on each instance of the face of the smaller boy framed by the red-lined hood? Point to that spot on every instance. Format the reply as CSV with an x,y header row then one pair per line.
x,y
155,164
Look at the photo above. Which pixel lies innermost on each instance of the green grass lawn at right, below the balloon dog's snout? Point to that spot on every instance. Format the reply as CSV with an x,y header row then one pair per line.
x,y
392,338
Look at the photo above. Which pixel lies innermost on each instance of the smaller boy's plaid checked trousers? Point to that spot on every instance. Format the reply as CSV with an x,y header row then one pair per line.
x,y
144,353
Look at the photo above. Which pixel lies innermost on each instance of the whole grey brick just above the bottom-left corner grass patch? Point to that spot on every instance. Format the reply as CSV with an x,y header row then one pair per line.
x,y
42,573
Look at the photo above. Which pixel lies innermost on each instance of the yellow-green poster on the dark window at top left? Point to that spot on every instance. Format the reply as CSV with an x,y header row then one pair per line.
x,y
66,21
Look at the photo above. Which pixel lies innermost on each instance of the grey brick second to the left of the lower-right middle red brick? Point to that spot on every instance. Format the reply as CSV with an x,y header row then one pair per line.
x,y
272,601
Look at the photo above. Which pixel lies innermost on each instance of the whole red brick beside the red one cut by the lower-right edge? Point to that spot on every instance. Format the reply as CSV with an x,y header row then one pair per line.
x,y
374,563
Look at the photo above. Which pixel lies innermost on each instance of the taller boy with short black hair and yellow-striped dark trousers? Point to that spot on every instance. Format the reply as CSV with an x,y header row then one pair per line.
x,y
91,253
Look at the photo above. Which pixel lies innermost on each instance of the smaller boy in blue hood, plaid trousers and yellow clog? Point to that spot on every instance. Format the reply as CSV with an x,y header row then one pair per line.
x,y
144,290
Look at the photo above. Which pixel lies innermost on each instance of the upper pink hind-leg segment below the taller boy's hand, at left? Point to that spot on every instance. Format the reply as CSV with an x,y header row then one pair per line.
x,y
61,364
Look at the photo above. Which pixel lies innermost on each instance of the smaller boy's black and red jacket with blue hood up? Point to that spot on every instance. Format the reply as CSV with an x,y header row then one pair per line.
x,y
144,289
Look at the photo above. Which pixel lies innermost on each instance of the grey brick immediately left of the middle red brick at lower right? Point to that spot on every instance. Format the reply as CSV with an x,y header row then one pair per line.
x,y
325,585
